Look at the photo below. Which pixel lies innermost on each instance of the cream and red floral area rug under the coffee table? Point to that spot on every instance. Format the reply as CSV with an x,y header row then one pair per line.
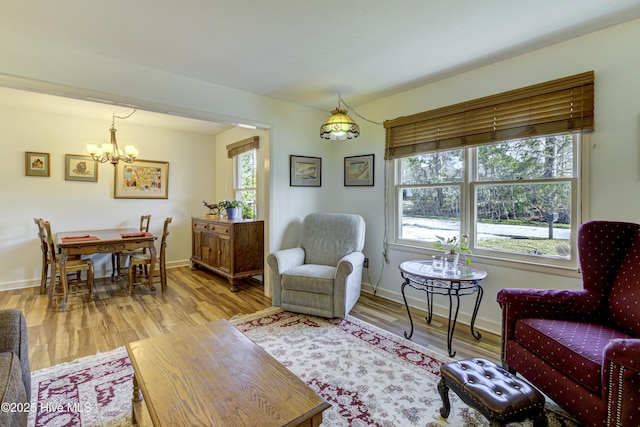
x,y
369,376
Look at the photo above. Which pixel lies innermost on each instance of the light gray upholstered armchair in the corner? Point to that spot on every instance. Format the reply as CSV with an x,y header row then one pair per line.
x,y
323,276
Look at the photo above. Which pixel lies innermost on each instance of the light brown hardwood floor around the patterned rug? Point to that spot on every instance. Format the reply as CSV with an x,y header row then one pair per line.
x,y
193,297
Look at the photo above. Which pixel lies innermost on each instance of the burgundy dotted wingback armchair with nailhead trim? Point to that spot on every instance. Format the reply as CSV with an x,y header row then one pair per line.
x,y
582,347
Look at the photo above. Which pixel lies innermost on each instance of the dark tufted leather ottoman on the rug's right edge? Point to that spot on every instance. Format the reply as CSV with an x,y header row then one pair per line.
x,y
501,397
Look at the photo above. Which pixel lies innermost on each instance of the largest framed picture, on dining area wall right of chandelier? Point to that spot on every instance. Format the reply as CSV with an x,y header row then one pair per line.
x,y
142,179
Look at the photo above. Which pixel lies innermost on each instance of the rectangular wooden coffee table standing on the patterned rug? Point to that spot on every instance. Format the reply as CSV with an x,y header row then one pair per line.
x,y
212,375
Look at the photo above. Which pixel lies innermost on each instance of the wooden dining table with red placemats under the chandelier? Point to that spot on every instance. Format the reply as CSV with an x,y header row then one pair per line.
x,y
110,241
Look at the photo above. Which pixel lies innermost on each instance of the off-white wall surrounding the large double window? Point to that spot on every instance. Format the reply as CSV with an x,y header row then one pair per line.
x,y
615,157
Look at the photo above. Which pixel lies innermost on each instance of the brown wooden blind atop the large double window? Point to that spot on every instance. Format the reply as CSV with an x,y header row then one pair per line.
x,y
556,106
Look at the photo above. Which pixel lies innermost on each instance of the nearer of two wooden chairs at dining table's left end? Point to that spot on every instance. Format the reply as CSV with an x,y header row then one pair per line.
x,y
72,265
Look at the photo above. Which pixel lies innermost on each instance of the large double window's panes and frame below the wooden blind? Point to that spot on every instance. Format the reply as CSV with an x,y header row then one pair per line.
x,y
516,199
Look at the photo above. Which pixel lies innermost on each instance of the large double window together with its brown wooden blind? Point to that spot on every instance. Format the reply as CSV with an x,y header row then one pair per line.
x,y
505,169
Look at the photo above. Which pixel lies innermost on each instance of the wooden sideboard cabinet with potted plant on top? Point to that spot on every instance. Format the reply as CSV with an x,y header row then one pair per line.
x,y
231,248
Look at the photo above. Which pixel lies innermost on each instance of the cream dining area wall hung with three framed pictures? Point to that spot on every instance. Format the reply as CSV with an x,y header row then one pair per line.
x,y
73,205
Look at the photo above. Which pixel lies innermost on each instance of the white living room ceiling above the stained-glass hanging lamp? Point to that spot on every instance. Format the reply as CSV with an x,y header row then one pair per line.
x,y
307,52
